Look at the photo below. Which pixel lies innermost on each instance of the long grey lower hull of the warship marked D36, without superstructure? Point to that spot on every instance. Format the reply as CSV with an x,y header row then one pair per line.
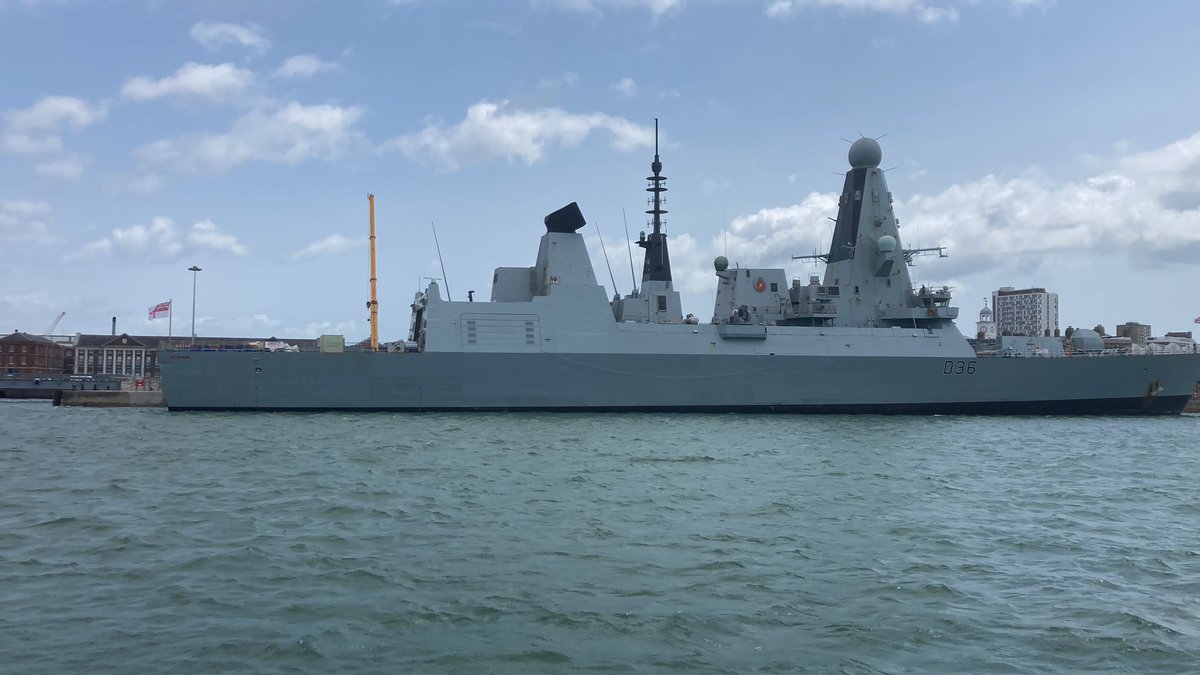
x,y
759,384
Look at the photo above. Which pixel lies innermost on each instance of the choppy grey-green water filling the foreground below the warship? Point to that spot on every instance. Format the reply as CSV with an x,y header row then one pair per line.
x,y
145,541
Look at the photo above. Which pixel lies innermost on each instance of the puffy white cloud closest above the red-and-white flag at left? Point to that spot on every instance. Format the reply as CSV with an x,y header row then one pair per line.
x,y
160,242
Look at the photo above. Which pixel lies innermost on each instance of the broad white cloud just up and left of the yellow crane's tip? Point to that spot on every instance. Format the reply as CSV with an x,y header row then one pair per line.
x,y
290,135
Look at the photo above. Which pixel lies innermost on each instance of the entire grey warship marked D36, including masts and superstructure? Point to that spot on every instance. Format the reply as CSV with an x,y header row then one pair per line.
x,y
859,341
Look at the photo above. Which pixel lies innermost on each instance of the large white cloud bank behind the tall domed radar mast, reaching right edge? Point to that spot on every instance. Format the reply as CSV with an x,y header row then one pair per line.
x,y
1147,206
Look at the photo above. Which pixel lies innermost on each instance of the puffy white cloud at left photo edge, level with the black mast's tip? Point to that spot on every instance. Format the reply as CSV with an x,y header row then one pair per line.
x,y
35,130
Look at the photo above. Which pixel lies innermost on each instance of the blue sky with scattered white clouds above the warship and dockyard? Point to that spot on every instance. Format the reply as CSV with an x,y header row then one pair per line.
x,y
1045,144
